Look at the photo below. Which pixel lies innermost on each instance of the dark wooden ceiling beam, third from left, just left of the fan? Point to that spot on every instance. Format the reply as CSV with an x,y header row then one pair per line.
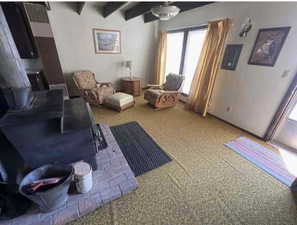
x,y
140,8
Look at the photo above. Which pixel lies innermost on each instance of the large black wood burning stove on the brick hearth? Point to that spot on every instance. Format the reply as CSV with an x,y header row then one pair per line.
x,y
53,131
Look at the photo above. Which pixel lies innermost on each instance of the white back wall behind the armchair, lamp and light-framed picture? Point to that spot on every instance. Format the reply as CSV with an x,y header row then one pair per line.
x,y
74,40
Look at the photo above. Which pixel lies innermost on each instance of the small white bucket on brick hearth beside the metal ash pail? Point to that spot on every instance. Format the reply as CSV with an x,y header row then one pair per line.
x,y
83,177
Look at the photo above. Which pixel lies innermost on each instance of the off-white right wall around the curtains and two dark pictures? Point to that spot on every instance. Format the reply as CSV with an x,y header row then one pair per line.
x,y
253,92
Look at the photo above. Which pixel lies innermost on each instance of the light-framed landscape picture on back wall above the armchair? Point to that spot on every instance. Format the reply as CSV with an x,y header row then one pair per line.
x,y
107,41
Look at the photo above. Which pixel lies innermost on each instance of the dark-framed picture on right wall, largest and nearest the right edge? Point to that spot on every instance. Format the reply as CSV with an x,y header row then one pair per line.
x,y
268,45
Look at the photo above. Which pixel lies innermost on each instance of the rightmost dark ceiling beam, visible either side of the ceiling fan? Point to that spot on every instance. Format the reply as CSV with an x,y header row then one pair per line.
x,y
184,6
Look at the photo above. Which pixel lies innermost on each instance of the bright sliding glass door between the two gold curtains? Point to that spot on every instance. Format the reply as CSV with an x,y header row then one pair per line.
x,y
183,51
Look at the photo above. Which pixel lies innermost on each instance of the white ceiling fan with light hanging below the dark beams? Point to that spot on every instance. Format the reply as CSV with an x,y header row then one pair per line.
x,y
165,11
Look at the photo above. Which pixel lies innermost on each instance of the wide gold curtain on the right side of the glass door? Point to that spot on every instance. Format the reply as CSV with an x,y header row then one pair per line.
x,y
208,66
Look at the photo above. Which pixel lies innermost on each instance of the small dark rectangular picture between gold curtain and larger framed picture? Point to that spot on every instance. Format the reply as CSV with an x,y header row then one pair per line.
x,y
231,57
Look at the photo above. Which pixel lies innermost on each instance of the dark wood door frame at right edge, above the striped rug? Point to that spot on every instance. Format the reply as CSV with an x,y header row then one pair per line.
x,y
281,111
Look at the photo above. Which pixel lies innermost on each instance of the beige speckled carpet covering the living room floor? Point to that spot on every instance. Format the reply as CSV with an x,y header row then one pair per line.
x,y
206,183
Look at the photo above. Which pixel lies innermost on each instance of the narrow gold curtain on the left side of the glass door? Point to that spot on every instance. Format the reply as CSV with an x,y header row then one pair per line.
x,y
161,59
